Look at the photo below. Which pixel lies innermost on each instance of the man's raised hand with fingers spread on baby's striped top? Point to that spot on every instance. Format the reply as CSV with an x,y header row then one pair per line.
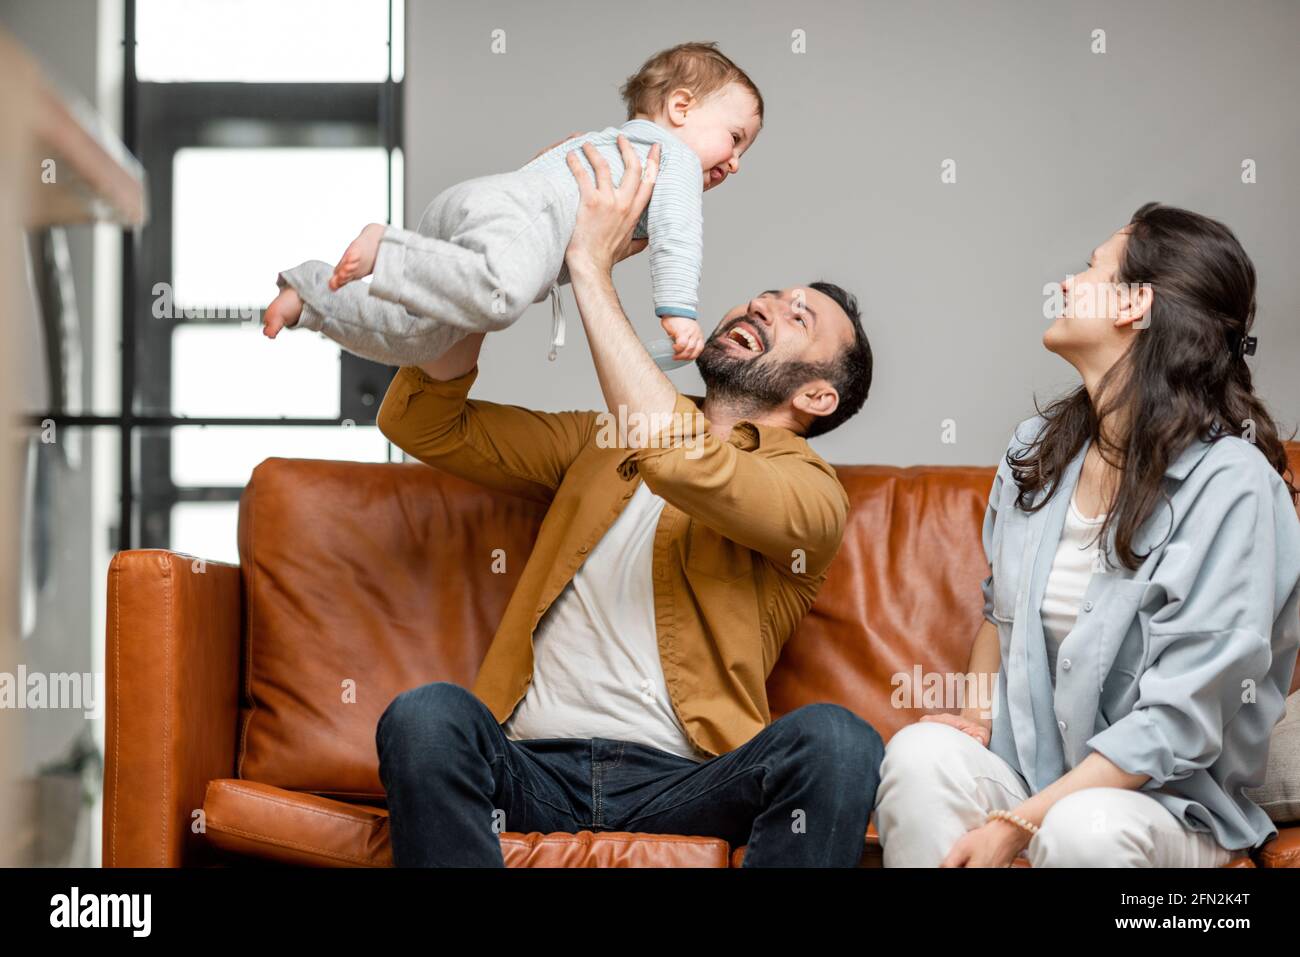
x,y
606,216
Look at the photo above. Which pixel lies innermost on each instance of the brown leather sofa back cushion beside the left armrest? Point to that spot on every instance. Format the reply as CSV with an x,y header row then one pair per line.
x,y
361,582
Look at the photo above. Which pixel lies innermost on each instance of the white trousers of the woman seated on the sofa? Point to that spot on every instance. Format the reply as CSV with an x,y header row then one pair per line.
x,y
938,783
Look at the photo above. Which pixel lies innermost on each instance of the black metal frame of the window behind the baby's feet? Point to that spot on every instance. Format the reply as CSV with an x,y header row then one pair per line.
x,y
159,119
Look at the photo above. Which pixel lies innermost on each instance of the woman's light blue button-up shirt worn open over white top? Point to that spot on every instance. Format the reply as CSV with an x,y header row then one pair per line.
x,y
1178,670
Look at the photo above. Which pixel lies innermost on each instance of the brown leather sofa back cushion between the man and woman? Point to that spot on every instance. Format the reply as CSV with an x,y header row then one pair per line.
x,y
903,596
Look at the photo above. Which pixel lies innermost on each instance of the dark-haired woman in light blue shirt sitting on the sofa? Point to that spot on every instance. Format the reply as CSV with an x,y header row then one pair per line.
x,y
1143,610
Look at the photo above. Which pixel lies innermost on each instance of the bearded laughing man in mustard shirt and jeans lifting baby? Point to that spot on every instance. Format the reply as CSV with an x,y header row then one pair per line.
x,y
625,690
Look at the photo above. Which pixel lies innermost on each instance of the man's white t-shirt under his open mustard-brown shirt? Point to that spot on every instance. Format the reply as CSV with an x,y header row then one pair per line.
x,y
596,652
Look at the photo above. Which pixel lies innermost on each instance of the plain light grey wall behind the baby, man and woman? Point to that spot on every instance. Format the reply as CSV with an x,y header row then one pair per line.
x,y
1056,148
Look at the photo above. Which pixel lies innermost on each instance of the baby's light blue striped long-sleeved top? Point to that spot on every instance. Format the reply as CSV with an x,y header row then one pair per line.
x,y
674,222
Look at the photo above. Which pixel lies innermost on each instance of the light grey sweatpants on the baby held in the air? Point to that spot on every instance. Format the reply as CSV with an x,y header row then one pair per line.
x,y
484,252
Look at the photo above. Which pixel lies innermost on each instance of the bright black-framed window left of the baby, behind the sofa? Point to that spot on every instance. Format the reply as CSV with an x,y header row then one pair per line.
x,y
248,116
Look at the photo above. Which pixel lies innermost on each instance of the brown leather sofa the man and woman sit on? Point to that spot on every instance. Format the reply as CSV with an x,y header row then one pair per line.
x,y
244,699
